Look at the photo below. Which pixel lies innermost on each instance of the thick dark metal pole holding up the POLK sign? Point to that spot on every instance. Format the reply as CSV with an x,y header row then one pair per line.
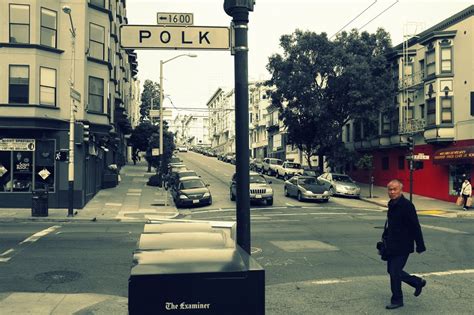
x,y
239,11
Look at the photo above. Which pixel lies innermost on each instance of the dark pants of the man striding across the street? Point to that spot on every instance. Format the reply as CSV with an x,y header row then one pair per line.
x,y
395,266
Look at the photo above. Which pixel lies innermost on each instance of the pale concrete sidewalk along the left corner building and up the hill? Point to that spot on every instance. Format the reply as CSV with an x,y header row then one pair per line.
x,y
129,201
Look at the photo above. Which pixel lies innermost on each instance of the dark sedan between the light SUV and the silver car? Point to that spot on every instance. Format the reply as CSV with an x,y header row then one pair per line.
x,y
307,188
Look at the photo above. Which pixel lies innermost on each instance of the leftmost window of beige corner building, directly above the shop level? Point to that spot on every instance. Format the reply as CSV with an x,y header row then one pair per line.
x,y
18,88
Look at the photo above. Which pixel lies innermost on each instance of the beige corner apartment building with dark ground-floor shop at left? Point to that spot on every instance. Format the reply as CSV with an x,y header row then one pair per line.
x,y
47,47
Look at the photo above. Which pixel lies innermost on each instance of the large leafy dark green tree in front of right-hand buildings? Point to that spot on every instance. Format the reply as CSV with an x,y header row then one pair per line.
x,y
319,86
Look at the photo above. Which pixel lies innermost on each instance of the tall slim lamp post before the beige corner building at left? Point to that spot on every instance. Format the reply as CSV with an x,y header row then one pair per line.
x,y
70,212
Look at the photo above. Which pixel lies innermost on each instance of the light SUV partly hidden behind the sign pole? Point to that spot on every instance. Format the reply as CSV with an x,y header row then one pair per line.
x,y
260,189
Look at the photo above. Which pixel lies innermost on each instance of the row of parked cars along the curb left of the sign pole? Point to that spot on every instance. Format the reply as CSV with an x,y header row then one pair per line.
x,y
186,186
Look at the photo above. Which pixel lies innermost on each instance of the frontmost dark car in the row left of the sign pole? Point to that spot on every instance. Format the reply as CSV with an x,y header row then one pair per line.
x,y
191,191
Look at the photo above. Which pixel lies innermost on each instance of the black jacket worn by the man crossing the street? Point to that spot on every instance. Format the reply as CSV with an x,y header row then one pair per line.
x,y
403,228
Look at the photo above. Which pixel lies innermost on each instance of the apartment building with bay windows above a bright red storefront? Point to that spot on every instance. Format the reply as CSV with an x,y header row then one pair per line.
x,y
434,108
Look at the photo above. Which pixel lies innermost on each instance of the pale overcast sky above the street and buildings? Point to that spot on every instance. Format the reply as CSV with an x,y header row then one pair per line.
x,y
190,82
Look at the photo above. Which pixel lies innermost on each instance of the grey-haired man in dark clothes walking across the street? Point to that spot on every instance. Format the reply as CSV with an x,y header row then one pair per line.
x,y
402,231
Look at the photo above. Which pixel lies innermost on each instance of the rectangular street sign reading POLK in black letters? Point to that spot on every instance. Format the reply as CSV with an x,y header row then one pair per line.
x,y
174,37
